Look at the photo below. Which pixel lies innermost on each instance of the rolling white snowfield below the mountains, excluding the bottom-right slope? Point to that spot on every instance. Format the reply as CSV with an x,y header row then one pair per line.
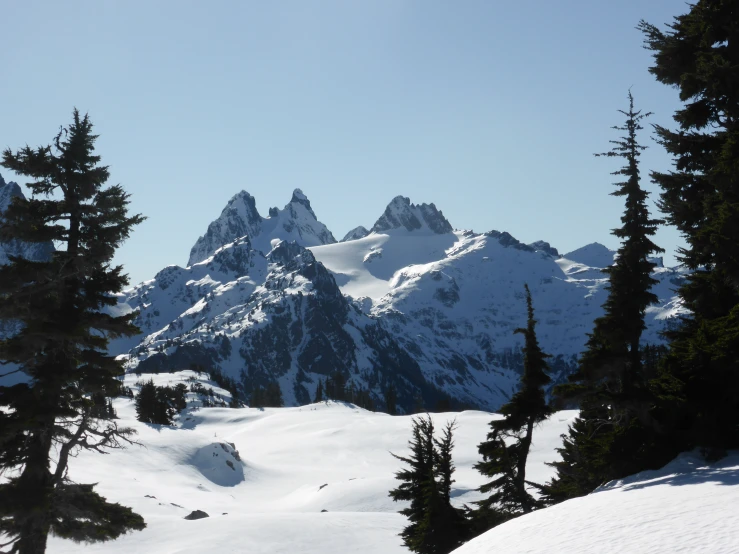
x,y
294,463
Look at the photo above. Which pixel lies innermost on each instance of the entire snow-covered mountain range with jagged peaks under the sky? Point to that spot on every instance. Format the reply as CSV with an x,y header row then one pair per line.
x,y
410,302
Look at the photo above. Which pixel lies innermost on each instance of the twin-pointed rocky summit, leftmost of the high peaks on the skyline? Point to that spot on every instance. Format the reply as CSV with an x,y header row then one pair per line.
x,y
240,218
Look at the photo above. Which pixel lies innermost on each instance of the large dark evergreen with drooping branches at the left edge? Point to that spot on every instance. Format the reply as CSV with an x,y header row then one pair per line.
x,y
61,344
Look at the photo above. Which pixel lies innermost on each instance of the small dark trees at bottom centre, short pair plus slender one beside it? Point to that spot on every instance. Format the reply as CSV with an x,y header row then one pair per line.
x,y
436,527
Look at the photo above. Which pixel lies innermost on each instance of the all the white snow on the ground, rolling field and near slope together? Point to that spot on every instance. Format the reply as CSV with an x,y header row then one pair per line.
x,y
265,477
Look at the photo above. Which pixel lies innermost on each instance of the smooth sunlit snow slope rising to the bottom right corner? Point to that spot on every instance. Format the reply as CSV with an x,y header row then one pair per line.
x,y
684,507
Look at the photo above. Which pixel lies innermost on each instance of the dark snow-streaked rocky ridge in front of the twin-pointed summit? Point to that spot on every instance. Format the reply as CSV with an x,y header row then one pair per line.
x,y
279,317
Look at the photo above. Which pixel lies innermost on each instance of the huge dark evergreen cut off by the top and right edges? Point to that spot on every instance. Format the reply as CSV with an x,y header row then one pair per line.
x,y
698,385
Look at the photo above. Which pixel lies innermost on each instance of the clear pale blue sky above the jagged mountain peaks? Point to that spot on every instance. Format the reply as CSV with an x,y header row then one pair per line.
x,y
490,109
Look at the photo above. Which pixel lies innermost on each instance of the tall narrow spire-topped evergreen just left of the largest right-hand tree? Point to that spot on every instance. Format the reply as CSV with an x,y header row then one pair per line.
x,y
614,435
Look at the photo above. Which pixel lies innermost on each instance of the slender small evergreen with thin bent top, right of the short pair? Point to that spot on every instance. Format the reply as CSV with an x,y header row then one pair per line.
x,y
505,462
